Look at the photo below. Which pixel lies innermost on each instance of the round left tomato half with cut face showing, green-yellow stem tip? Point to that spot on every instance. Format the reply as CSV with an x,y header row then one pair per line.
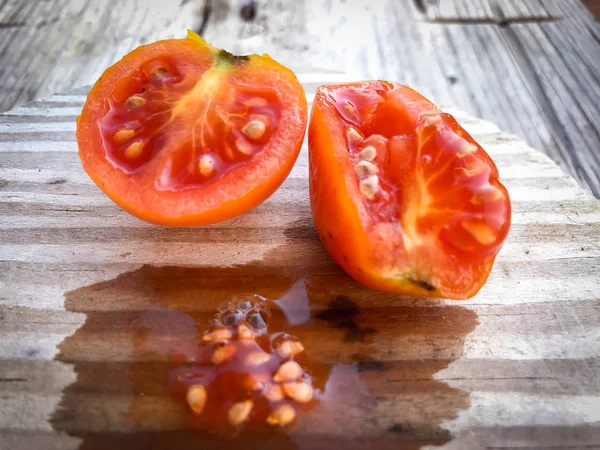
x,y
181,133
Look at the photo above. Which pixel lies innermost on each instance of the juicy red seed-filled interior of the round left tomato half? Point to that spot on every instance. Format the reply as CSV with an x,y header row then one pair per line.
x,y
225,124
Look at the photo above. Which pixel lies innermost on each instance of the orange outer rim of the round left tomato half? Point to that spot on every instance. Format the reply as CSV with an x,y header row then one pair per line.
x,y
194,49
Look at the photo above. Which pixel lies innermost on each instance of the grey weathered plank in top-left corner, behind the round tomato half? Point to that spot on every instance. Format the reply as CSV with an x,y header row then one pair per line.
x,y
53,45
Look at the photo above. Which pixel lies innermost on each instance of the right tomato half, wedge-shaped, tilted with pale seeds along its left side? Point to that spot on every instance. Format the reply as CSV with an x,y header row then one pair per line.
x,y
403,198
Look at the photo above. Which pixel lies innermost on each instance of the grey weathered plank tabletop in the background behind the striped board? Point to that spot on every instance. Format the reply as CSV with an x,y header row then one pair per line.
x,y
529,66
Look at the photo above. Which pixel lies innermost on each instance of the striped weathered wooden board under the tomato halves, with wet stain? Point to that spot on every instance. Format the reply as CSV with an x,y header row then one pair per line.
x,y
93,300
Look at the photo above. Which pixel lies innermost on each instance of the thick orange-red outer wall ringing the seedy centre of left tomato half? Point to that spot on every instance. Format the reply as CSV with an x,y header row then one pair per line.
x,y
238,191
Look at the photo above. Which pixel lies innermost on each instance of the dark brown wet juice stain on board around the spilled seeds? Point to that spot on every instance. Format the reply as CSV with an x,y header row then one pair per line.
x,y
373,357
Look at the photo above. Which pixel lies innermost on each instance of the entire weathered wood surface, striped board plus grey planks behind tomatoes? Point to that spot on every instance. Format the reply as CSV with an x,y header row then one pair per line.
x,y
92,301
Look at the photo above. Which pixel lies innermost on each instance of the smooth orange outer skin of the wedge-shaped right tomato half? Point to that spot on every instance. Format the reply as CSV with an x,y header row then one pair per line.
x,y
340,220
